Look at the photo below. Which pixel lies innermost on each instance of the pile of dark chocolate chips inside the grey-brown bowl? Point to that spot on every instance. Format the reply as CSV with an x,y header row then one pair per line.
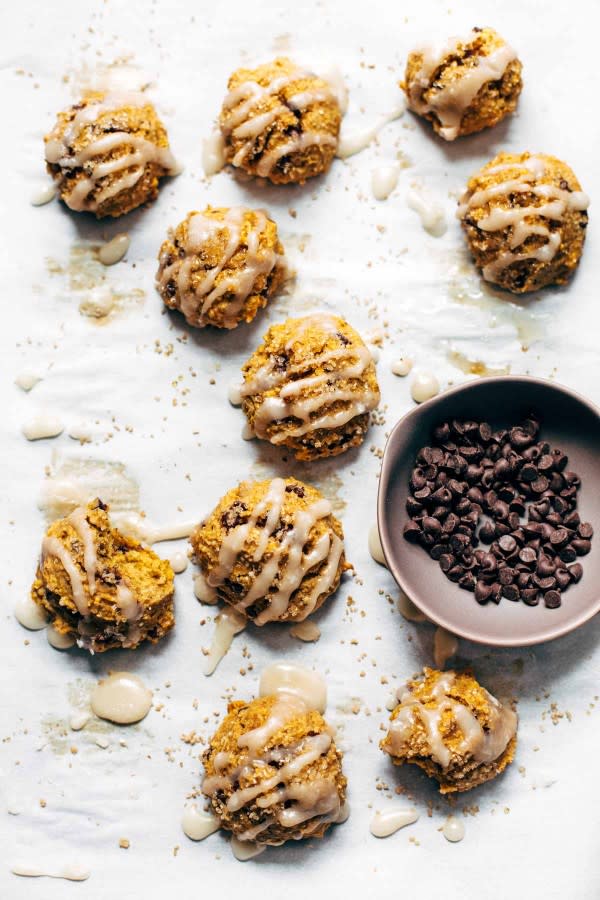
x,y
529,497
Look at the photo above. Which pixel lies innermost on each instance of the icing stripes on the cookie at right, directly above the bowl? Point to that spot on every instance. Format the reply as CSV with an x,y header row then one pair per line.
x,y
555,202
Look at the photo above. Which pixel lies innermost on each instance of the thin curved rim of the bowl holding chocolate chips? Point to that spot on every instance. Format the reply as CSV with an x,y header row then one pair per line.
x,y
384,479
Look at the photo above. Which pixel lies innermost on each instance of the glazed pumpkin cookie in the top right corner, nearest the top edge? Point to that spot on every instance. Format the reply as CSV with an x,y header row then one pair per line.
x,y
469,84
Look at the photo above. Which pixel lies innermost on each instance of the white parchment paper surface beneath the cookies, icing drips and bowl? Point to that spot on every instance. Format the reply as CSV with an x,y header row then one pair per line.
x,y
535,834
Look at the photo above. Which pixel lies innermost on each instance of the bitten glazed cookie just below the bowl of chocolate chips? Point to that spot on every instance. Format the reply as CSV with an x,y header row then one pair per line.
x,y
452,728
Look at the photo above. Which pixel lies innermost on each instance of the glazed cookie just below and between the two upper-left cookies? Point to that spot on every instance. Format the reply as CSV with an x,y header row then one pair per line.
x,y
221,266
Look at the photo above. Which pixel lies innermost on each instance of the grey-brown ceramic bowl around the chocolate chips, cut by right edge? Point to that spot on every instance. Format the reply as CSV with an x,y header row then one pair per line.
x,y
570,423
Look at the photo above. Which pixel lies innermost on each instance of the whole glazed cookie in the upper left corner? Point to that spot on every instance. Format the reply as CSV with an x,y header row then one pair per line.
x,y
107,154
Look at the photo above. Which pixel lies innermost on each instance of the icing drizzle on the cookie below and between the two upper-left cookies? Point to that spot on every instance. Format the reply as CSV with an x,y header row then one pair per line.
x,y
196,299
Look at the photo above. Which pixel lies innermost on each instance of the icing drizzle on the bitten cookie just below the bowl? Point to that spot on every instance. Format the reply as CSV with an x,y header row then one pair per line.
x,y
484,745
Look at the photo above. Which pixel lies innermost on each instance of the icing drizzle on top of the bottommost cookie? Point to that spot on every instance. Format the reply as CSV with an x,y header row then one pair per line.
x,y
299,802
